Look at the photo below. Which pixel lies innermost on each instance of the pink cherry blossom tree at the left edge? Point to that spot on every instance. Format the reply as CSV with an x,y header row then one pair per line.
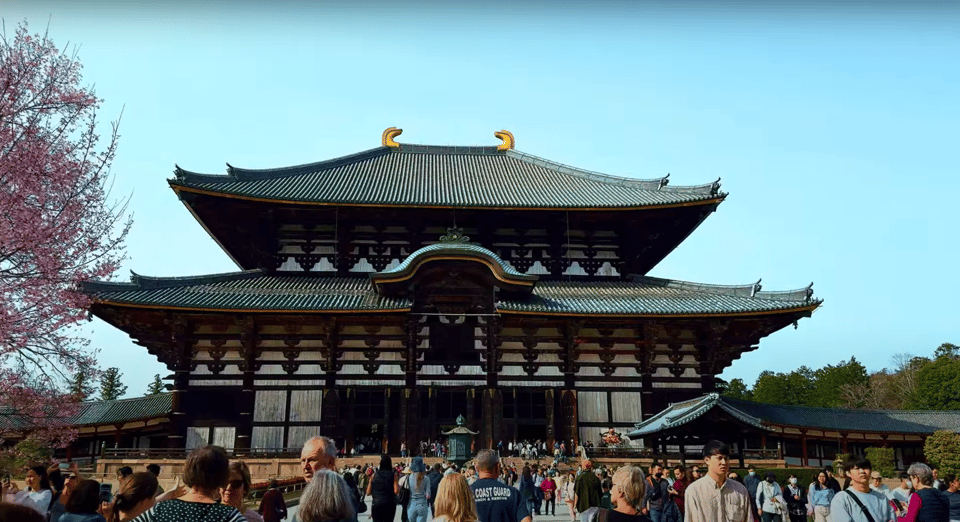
x,y
59,225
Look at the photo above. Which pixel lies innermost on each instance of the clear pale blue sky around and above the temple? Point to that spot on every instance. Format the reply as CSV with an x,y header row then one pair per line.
x,y
834,129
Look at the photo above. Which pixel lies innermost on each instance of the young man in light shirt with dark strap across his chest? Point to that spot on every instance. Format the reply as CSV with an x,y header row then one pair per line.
x,y
854,503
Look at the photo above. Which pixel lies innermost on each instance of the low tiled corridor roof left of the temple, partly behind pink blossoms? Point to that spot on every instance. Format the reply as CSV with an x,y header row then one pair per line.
x,y
104,412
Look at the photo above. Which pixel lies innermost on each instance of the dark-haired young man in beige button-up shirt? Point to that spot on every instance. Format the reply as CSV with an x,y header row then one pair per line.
x,y
714,497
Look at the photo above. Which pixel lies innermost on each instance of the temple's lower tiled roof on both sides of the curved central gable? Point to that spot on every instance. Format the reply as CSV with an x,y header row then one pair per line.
x,y
254,291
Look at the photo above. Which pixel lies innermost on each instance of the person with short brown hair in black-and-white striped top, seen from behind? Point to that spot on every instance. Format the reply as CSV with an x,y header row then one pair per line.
x,y
206,470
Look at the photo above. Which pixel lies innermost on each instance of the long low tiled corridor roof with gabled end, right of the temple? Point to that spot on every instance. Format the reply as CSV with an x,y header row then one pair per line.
x,y
766,415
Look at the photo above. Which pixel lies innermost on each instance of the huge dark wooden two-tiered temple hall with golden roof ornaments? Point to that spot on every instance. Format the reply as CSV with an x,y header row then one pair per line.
x,y
382,294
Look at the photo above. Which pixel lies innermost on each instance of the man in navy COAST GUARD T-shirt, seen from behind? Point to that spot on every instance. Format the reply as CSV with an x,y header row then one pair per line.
x,y
496,502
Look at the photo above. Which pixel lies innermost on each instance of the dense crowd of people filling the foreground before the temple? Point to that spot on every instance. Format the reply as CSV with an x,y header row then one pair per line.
x,y
488,490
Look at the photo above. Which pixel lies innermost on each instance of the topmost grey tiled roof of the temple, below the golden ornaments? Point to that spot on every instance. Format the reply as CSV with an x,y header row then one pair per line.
x,y
430,176
